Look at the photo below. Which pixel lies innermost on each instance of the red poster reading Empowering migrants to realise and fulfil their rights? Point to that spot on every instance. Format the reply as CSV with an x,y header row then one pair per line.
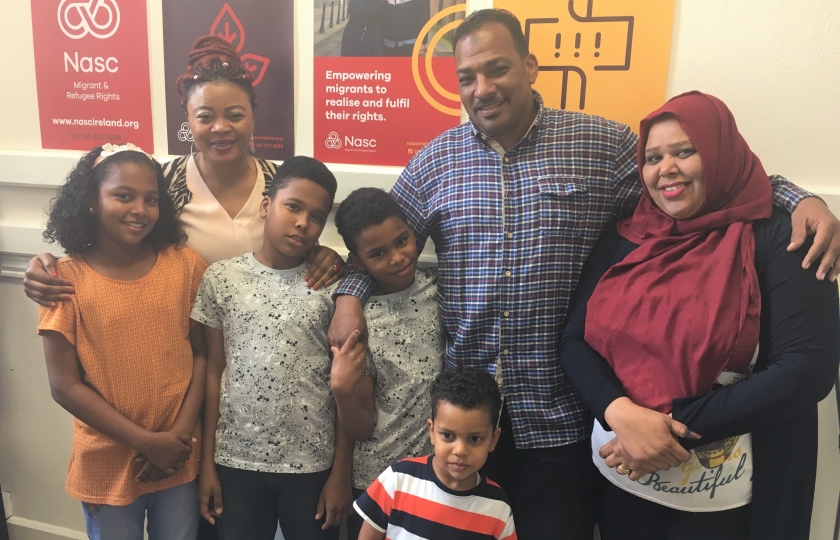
x,y
385,80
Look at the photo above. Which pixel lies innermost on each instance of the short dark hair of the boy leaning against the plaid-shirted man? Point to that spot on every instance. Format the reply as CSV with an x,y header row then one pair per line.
x,y
364,208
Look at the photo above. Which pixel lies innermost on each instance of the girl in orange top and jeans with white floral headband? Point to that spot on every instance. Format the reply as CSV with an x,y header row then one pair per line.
x,y
122,356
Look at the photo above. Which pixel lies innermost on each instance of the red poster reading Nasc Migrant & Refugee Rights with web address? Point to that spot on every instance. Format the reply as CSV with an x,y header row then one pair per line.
x,y
92,72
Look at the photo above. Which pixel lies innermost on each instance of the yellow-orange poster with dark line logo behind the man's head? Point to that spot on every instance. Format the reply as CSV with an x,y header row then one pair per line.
x,y
603,57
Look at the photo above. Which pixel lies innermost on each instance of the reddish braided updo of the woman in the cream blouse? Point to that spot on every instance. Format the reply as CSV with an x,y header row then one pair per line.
x,y
212,59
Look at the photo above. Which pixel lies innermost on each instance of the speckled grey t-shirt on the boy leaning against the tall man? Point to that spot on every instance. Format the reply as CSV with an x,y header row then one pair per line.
x,y
405,338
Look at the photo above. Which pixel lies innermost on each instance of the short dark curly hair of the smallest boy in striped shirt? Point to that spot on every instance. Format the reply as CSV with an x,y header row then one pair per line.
x,y
468,389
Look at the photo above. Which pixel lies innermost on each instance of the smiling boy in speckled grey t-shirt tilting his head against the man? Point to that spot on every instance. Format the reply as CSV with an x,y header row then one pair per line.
x,y
405,339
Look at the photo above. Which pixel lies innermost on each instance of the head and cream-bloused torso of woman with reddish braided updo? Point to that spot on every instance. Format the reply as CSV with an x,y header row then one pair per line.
x,y
219,186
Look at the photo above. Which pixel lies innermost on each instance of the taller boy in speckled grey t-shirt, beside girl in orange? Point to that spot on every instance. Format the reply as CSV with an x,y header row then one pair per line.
x,y
269,417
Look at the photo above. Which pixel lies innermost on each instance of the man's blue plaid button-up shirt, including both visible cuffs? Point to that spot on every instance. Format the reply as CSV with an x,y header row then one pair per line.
x,y
512,231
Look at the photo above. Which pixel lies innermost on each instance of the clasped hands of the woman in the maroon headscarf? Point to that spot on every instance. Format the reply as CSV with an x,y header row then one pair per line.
x,y
645,439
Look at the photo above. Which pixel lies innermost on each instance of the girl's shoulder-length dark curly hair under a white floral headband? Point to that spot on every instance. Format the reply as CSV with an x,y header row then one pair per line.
x,y
70,222
